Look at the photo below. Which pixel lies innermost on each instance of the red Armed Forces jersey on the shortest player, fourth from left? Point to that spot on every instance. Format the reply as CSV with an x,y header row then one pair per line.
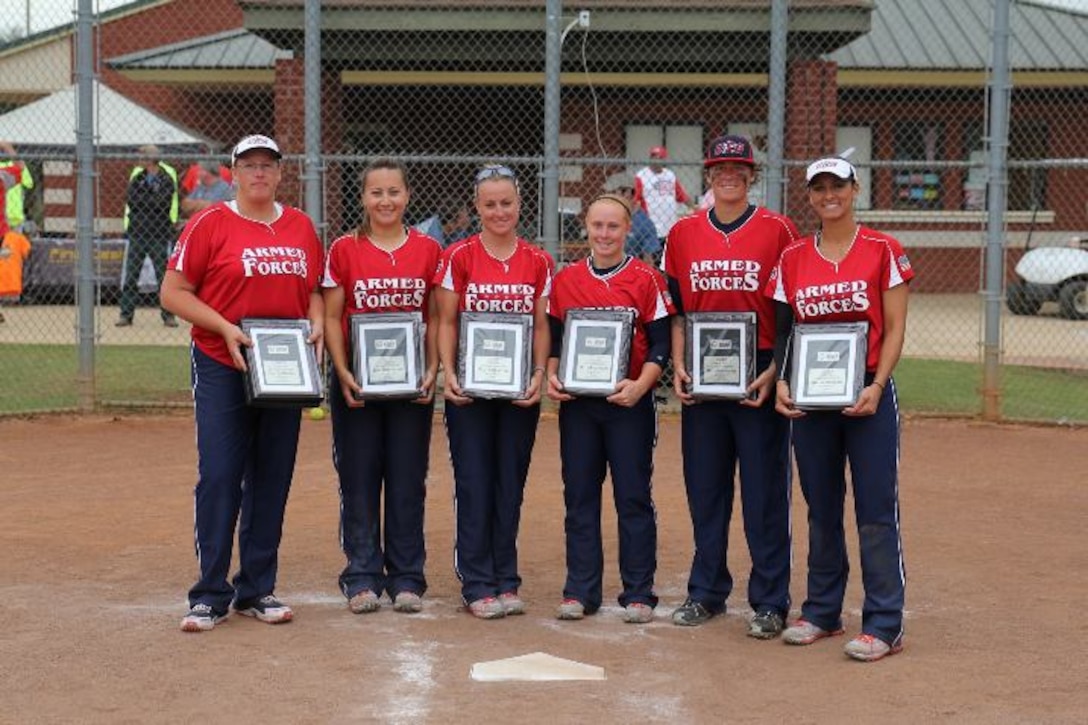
x,y
633,286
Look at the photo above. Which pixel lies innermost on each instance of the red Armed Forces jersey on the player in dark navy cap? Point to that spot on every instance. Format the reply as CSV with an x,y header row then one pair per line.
x,y
721,273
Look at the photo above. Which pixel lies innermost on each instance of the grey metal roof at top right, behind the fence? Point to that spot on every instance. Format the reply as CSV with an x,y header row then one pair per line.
x,y
955,35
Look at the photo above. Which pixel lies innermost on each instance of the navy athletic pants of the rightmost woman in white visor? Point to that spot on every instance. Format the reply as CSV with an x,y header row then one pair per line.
x,y
823,444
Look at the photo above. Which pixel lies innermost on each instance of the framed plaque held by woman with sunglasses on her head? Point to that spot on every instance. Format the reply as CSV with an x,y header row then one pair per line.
x,y
494,354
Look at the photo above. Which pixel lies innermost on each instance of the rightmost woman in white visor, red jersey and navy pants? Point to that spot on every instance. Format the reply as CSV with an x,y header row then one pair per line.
x,y
848,274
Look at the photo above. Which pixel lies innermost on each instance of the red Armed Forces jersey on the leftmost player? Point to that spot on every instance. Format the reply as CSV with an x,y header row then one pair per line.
x,y
246,268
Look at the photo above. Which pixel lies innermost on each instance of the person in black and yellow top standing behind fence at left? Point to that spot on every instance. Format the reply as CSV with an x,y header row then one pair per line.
x,y
152,207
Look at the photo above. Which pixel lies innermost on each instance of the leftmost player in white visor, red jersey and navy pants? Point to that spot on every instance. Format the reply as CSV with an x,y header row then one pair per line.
x,y
248,259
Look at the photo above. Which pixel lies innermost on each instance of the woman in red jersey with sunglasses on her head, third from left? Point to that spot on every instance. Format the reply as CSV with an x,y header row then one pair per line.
x,y
491,441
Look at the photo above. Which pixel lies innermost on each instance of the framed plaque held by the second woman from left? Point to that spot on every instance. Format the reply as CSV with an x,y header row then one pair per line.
x,y
388,354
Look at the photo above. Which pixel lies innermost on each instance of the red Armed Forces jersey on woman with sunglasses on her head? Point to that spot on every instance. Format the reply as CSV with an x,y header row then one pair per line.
x,y
486,285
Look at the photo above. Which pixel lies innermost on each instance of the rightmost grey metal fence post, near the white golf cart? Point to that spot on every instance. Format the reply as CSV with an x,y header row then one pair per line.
x,y
997,200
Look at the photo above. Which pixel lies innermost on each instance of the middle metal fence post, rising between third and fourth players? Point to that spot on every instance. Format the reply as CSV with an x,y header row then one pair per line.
x,y
550,207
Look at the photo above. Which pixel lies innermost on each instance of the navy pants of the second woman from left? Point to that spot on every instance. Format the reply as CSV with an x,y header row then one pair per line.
x,y
384,446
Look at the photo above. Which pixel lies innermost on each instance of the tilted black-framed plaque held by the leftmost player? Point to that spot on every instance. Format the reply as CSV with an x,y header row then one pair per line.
x,y
282,365
